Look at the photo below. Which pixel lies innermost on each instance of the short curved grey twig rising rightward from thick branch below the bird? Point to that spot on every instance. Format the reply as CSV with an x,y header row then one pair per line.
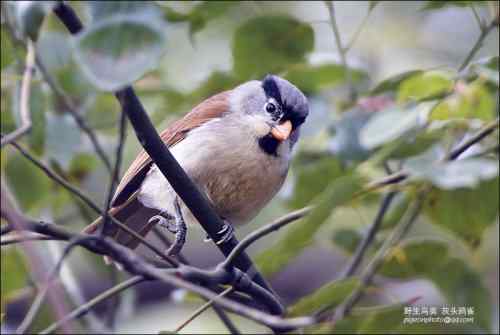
x,y
263,231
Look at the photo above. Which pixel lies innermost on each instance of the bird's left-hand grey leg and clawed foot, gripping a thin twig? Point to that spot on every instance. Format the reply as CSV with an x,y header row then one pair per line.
x,y
174,224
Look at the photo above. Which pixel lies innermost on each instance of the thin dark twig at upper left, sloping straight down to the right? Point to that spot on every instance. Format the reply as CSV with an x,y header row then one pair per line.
x,y
70,107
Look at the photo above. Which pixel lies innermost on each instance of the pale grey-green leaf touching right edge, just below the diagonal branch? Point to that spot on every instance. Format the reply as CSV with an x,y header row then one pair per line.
x,y
455,174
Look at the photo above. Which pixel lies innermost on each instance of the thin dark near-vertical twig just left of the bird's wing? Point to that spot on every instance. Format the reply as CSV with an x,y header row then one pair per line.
x,y
116,173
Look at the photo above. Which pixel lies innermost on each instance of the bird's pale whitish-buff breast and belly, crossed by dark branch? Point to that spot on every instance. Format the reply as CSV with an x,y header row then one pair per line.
x,y
225,161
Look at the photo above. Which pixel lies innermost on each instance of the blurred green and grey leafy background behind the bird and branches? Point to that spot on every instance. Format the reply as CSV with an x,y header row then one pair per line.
x,y
451,254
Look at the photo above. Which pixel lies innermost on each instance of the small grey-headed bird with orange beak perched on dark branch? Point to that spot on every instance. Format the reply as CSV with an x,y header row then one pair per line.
x,y
236,146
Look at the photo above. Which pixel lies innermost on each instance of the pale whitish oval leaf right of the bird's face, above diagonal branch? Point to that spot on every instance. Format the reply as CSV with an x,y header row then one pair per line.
x,y
389,125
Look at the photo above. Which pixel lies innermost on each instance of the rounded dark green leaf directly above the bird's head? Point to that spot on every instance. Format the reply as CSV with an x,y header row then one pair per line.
x,y
270,44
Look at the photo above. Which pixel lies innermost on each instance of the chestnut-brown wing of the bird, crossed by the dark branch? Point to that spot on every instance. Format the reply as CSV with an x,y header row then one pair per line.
x,y
209,109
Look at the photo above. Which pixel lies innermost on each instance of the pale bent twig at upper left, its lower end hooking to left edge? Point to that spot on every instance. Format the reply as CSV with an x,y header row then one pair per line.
x,y
24,109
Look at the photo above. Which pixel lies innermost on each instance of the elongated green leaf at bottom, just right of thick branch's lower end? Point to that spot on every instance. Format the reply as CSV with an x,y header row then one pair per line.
x,y
331,294
